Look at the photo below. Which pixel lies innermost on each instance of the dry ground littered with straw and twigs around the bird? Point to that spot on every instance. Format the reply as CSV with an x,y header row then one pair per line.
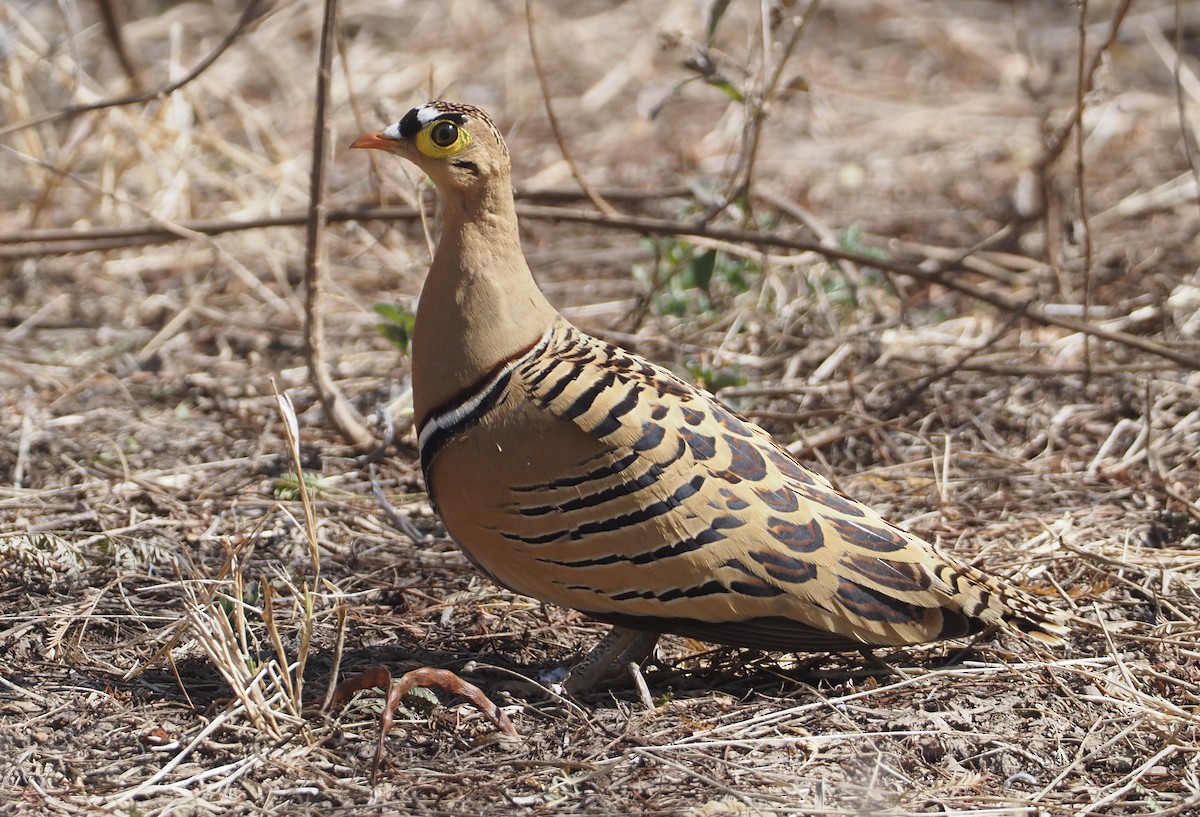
x,y
1006,361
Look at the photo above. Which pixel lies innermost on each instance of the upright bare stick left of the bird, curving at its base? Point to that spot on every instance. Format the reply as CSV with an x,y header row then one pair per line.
x,y
345,418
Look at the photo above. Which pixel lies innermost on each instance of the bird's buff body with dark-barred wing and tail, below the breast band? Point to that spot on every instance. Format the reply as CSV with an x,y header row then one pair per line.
x,y
646,502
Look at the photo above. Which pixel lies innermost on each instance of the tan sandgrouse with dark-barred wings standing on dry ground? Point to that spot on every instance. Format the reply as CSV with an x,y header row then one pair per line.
x,y
572,471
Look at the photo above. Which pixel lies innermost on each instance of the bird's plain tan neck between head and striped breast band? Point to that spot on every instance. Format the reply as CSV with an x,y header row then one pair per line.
x,y
481,305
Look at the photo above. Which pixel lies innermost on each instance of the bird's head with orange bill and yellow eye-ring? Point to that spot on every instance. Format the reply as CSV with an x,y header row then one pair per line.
x,y
457,146
